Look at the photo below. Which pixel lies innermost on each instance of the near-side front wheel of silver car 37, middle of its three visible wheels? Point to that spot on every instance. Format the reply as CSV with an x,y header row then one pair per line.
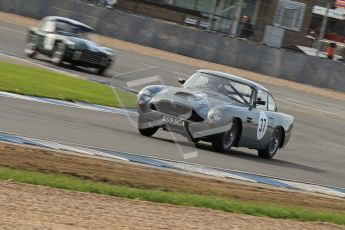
x,y
224,141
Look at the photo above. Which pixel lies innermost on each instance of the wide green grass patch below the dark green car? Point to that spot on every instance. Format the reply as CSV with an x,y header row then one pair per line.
x,y
41,82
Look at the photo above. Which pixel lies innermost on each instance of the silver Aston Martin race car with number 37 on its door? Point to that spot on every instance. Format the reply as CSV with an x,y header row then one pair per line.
x,y
216,107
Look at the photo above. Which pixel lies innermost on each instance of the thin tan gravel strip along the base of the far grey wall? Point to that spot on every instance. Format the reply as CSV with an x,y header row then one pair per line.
x,y
119,44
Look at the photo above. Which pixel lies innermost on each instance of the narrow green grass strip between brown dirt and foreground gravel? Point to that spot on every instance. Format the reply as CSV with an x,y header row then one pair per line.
x,y
223,204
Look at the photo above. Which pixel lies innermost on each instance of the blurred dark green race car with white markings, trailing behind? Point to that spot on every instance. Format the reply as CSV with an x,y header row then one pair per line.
x,y
66,40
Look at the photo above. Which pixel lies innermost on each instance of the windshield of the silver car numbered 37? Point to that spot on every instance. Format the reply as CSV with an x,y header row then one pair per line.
x,y
234,90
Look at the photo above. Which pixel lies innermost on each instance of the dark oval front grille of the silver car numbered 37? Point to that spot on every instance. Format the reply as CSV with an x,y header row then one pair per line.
x,y
176,110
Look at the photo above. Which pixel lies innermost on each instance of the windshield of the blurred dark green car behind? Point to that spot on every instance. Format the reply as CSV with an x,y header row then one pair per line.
x,y
68,28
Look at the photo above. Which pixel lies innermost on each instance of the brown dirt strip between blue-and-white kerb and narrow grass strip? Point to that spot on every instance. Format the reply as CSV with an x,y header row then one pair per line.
x,y
134,175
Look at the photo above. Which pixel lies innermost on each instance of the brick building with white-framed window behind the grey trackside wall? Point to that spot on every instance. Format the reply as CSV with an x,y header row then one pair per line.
x,y
280,23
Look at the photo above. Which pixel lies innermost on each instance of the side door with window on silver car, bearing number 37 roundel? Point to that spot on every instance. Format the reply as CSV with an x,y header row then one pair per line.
x,y
258,122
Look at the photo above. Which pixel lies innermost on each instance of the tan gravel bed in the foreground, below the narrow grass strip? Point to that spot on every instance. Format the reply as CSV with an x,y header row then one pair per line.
x,y
25,206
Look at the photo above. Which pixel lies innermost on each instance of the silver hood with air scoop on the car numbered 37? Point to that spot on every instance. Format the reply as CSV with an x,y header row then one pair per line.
x,y
200,100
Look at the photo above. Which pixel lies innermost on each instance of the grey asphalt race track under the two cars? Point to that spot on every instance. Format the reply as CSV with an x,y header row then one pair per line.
x,y
316,152
